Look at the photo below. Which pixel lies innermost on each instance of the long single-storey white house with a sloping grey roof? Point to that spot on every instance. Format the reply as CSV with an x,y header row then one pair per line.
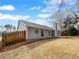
x,y
35,31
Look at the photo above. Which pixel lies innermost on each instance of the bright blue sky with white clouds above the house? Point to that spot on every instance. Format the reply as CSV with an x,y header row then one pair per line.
x,y
37,11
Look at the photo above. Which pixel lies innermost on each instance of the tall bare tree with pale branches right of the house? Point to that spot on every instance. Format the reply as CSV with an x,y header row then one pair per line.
x,y
60,16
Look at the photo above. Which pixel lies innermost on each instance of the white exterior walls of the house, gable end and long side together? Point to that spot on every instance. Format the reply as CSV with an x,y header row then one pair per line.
x,y
30,32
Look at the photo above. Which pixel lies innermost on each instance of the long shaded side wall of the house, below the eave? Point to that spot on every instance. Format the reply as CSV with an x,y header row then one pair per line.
x,y
33,35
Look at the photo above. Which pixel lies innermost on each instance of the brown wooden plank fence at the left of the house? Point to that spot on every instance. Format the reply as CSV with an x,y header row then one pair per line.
x,y
13,37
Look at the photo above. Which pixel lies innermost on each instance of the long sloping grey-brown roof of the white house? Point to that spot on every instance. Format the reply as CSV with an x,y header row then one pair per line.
x,y
33,25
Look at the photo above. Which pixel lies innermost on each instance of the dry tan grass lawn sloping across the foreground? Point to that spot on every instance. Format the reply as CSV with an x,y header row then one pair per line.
x,y
60,48
